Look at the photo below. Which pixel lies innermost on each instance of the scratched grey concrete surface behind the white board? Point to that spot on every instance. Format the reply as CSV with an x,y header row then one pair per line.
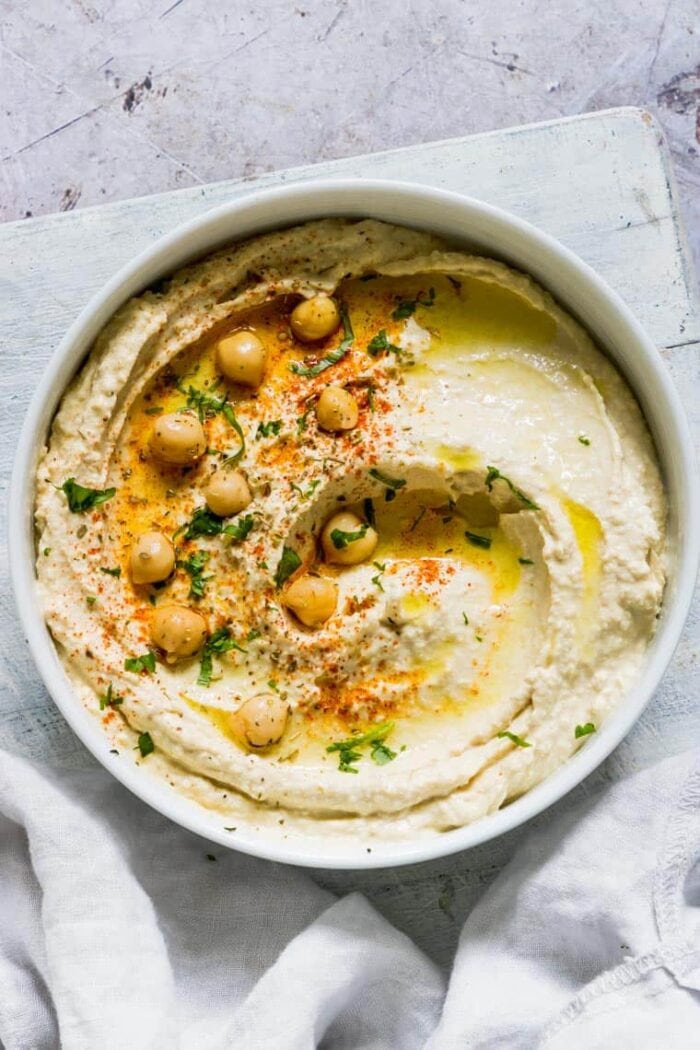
x,y
110,99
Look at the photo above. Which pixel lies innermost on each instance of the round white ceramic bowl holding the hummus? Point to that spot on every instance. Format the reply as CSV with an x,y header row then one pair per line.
x,y
469,224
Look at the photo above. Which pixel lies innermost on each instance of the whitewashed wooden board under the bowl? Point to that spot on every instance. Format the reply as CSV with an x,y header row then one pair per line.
x,y
601,183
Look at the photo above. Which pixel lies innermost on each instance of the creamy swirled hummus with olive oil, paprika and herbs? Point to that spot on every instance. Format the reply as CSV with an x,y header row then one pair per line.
x,y
508,523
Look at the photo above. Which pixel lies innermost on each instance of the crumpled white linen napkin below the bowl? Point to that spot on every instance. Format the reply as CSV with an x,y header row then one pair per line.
x,y
119,933
